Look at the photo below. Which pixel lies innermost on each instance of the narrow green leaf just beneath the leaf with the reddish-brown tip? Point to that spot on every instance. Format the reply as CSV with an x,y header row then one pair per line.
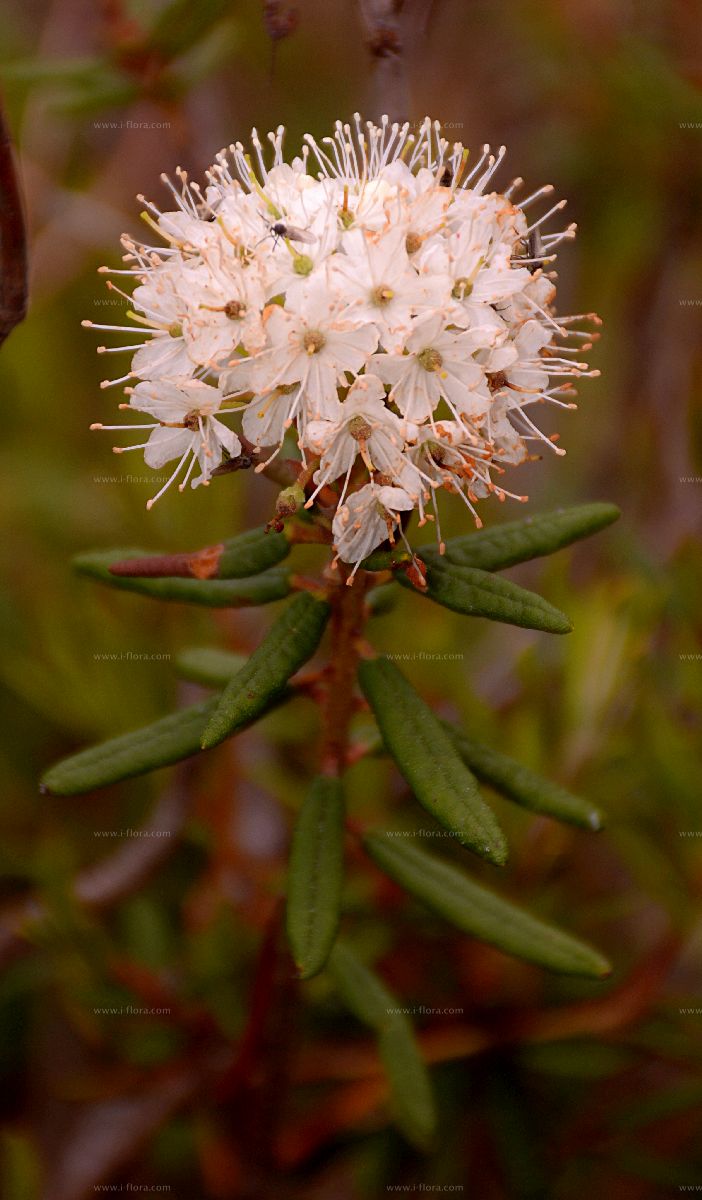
x,y
256,590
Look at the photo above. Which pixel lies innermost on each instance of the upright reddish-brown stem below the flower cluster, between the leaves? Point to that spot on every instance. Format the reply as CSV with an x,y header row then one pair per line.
x,y
349,617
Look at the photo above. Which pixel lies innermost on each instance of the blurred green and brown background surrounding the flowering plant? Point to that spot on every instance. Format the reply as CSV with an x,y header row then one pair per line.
x,y
584,1089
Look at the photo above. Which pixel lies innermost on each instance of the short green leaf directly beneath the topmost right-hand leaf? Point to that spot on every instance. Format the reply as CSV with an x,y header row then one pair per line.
x,y
477,593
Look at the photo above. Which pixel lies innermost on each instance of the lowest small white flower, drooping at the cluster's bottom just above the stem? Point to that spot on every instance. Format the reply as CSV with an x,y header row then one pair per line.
x,y
369,518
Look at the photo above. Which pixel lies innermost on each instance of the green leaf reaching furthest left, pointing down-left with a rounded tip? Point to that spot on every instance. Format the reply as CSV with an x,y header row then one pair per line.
x,y
160,745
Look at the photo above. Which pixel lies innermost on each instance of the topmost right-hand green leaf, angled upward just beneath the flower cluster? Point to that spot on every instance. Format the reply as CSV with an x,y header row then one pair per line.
x,y
493,550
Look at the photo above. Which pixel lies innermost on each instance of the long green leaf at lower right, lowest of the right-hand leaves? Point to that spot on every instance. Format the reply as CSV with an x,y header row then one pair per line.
x,y
479,913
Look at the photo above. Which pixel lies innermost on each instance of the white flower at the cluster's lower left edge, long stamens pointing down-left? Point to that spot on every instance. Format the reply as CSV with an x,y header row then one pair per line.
x,y
185,429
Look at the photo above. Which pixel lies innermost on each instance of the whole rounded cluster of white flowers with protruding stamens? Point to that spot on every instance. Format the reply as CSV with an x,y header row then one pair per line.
x,y
377,298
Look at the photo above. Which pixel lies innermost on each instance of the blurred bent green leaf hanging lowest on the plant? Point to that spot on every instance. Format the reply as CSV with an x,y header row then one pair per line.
x,y
374,1005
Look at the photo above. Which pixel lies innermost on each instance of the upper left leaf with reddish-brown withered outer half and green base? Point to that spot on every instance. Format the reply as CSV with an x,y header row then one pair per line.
x,y
248,554
